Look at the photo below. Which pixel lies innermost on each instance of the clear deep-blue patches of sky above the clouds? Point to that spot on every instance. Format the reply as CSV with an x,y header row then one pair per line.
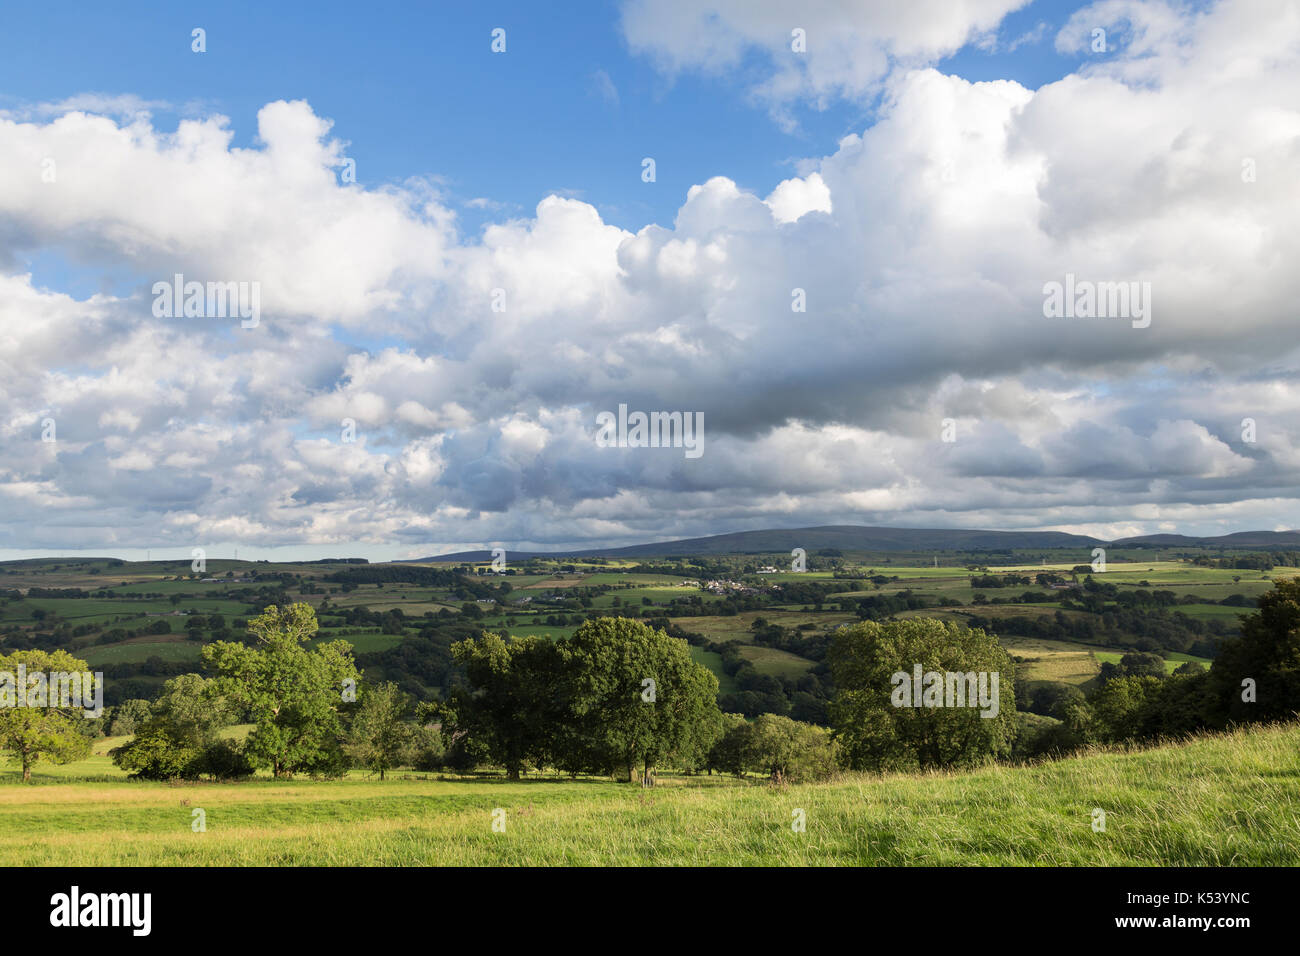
x,y
418,93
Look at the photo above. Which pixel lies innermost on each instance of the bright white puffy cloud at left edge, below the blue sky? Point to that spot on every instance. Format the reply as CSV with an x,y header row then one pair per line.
x,y
190,202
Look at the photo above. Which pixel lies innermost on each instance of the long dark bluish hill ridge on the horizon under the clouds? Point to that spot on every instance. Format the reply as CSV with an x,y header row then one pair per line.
x,y
852,538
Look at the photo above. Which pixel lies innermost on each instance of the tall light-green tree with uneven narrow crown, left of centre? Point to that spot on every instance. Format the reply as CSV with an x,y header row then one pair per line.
x,y
293,695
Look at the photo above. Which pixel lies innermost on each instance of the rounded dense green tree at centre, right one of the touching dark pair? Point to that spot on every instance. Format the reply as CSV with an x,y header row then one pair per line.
x,y
635,698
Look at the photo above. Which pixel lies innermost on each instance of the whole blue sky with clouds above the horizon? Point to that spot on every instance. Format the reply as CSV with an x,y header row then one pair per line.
x,y
842,266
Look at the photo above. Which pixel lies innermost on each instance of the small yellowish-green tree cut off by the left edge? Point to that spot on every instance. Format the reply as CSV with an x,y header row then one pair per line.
x,y
32,734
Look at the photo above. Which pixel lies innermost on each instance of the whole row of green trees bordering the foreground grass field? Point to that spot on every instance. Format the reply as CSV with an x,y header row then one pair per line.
x,y
626,699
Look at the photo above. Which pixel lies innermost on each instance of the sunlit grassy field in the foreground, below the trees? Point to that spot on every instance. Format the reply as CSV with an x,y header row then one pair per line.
x,y
1216,802
